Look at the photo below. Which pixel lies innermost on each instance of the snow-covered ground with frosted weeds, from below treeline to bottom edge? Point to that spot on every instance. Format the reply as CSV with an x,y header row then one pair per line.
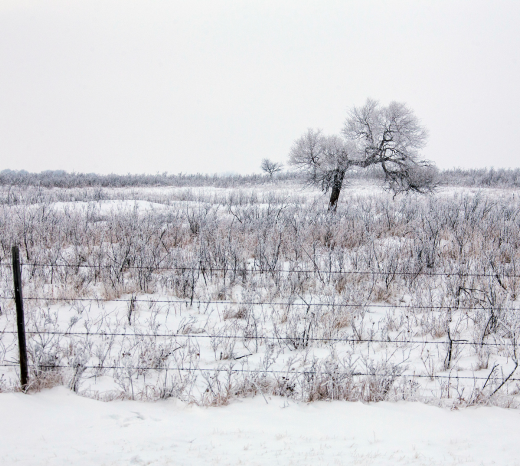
x,y
213,317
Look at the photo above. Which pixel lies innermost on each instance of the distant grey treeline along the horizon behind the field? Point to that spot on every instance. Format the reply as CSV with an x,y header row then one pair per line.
x,y
481,177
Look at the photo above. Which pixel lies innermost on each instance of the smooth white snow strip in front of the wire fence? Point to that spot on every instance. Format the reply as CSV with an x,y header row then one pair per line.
x,y
57,427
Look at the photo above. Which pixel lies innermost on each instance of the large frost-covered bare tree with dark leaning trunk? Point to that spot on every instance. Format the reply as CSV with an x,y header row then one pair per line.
x,y
389,137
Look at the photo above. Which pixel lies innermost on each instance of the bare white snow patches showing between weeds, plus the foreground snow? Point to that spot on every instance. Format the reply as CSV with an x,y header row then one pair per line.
x,y
58,426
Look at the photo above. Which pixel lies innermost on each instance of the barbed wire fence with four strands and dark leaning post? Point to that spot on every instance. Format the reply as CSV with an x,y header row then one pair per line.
x,y
22,331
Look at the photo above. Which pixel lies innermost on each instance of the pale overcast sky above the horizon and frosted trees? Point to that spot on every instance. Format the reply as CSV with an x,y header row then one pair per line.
x,y
215,86
